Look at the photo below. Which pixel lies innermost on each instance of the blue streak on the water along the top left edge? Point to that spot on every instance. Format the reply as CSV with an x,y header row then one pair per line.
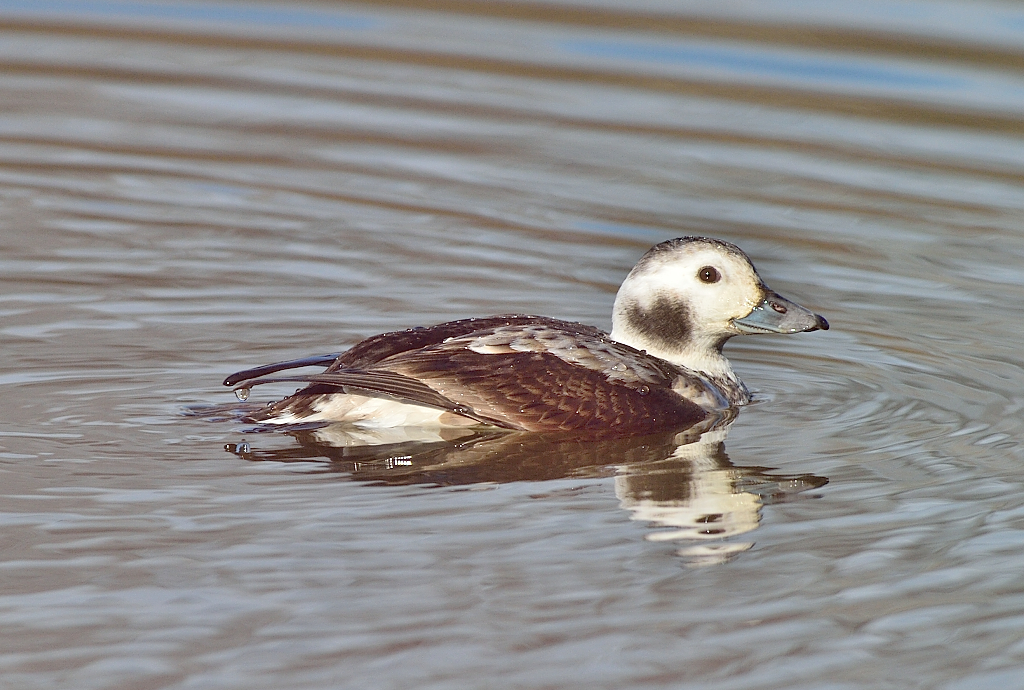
x,y
220,14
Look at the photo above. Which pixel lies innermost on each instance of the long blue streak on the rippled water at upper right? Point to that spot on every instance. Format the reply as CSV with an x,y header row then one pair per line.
x,y
805,68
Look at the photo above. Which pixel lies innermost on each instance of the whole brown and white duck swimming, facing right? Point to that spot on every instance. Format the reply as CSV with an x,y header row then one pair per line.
x,y
662,367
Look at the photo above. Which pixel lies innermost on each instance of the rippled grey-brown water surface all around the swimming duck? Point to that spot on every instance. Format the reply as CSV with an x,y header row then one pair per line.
x,y
189,190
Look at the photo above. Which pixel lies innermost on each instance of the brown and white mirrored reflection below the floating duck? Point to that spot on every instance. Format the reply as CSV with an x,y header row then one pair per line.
x,y
682,485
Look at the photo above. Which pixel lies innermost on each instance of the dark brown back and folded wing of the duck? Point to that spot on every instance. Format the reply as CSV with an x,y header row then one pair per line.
x,y
517,372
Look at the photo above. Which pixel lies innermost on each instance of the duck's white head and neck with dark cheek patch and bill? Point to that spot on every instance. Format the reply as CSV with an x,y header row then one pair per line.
x,y
687,297
